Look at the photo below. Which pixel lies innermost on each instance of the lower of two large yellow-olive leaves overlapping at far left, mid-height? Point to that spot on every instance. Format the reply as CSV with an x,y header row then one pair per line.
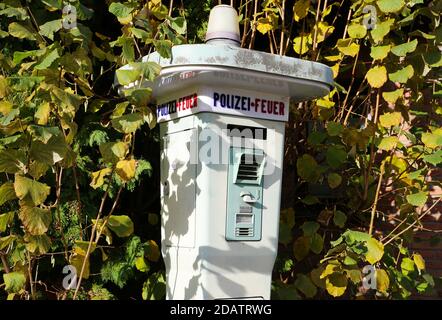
x,y
35,220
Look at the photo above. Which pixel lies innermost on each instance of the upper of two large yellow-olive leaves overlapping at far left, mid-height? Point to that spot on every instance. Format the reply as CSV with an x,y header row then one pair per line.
x,y
31,191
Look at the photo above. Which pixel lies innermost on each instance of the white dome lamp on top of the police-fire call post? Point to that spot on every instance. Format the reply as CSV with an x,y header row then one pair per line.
x,y
223,26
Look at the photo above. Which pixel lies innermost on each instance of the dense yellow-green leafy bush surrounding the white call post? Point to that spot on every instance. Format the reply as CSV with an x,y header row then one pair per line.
x,y
79,165
